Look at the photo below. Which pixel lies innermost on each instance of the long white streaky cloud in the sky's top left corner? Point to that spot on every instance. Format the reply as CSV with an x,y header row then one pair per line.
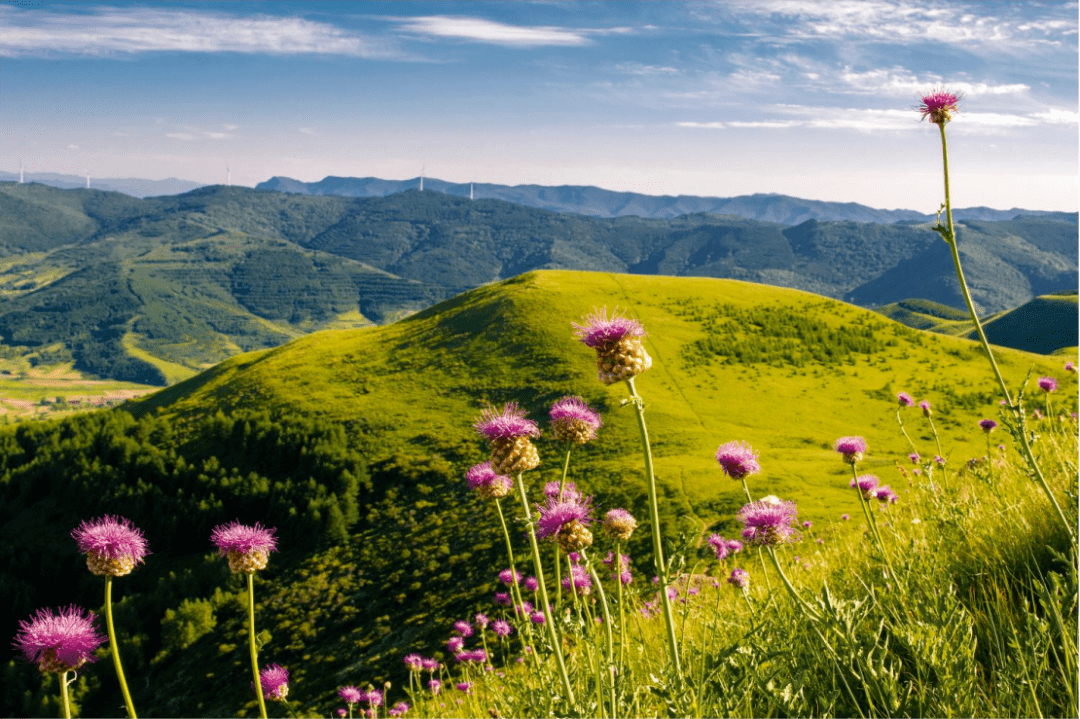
x,y
112,32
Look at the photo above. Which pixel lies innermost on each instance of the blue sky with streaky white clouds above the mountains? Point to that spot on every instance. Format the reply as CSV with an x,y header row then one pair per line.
x,y
809,99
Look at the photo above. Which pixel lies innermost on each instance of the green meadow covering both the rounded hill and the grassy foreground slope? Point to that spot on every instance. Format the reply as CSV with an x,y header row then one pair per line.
x,y
355,444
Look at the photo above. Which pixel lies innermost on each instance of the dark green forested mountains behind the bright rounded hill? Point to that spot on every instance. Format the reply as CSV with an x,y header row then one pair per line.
x,y
153,290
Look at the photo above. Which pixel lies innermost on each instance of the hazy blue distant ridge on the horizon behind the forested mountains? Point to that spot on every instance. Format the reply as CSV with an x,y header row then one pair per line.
x,y
597,202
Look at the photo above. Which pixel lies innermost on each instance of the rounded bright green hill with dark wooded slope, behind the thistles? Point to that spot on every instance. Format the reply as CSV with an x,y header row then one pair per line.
x,y
355,443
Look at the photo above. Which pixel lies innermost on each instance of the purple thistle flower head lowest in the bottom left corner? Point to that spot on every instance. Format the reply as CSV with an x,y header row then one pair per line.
x,y
62,642
